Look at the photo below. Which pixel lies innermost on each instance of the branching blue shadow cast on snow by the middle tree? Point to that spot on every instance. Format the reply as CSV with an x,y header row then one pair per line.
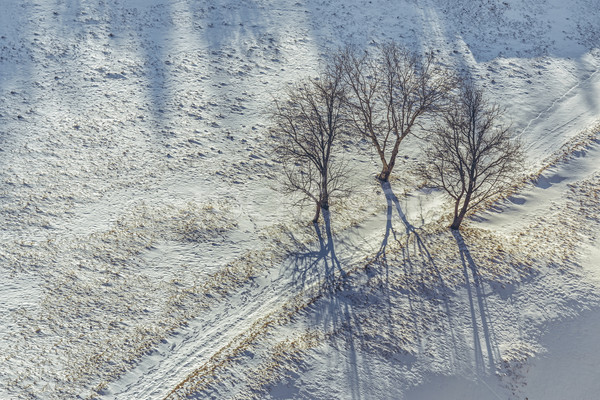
x,y
410,278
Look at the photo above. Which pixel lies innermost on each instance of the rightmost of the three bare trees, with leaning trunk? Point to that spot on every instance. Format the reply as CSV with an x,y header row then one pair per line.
x,y
470,154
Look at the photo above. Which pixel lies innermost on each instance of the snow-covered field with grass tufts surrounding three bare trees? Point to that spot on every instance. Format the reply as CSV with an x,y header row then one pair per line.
x,y
146,251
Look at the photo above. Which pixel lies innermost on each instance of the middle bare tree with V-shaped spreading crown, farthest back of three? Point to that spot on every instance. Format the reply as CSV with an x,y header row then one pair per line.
x,y
390,91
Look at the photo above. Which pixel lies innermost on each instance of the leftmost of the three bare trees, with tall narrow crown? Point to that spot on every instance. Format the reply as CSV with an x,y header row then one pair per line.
x,y
308,124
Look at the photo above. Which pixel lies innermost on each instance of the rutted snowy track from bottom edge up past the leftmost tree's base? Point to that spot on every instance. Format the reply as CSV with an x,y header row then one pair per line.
x,y
308,270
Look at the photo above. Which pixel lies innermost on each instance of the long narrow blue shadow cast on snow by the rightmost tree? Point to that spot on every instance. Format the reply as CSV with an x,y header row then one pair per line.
x,y
480,297
